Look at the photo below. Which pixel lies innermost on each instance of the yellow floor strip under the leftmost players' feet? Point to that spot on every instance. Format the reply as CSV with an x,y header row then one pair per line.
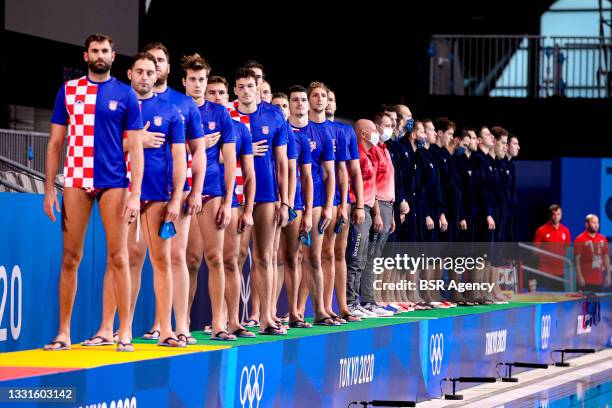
x,y
88,357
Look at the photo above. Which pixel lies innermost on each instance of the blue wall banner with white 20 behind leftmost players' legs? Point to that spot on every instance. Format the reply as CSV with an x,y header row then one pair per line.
x,y
30,264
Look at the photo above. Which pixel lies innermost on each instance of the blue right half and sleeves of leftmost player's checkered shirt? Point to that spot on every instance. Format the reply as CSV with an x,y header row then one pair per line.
x,y
116,110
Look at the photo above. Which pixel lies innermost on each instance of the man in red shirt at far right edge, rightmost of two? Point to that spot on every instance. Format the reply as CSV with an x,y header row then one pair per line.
x,y
591,256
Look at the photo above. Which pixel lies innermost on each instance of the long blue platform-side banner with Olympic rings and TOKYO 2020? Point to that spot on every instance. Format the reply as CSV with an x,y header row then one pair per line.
x,y
404,361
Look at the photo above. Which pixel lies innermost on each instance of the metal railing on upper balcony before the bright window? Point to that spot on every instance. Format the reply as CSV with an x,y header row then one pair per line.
x,y
520,66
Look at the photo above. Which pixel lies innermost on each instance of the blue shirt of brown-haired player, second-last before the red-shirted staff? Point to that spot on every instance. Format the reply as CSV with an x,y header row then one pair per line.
x,y
321,150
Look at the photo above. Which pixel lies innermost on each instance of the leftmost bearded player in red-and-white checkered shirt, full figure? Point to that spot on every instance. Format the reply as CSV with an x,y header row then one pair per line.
x,y
93,108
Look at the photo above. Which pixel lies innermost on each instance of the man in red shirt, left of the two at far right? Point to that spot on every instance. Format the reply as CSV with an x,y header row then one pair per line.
x,y
553,237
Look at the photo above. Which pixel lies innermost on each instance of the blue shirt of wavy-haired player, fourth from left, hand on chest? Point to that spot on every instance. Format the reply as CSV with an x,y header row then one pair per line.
x,y
215,118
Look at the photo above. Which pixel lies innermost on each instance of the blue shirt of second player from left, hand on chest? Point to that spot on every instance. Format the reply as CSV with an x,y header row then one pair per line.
x,y
165,118
